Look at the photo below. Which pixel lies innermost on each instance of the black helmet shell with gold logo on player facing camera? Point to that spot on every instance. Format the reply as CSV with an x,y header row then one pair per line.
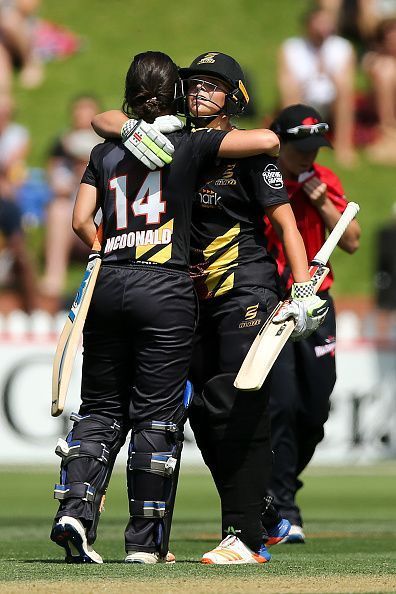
x,y
218,65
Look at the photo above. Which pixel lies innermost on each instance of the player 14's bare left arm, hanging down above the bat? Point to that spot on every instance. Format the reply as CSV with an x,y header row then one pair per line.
x,y
85,209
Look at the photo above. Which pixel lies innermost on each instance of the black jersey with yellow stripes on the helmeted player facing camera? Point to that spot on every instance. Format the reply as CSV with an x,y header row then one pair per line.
x,y
228,245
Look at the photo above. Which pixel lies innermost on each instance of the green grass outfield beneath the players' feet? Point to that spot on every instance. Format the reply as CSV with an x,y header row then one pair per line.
x,y
350,521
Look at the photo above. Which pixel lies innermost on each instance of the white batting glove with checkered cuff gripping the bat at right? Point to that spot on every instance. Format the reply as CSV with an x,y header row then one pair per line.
x,y
307,309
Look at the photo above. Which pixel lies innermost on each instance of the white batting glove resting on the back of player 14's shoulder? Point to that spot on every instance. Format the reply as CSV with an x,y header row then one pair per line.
x,y
147,143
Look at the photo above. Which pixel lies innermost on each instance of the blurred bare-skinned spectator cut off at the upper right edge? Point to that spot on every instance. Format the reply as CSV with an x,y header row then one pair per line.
x,y
380,66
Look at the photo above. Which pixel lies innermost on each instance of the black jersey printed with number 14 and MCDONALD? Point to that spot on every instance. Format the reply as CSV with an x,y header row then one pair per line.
x,y
147,214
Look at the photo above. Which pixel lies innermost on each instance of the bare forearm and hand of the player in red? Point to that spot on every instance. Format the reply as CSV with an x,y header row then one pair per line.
x,y
316,191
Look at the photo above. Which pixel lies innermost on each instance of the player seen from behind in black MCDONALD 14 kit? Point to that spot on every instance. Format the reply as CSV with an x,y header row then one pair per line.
x,y
139,329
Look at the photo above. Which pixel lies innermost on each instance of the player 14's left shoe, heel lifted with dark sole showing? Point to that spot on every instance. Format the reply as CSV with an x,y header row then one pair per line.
x,y
70,534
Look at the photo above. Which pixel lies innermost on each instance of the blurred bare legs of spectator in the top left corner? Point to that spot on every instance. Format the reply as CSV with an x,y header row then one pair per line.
x,y
17,23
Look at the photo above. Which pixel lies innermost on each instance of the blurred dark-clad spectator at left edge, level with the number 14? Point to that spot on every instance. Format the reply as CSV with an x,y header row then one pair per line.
x,y
17,277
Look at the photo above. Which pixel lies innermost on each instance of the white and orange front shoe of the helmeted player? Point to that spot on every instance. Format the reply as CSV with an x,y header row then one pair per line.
x,y
232,551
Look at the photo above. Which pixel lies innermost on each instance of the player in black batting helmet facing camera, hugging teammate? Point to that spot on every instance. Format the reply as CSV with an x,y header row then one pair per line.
x,y
237,284
